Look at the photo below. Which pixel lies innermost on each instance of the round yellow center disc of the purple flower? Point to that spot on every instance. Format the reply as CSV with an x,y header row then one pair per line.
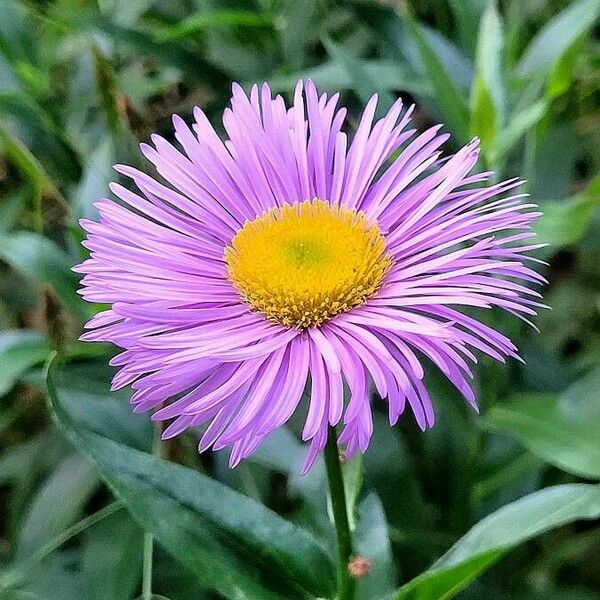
x,y
304,263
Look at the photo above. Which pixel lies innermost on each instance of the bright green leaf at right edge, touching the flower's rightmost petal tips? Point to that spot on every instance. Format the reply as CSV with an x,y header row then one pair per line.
x,y
565,222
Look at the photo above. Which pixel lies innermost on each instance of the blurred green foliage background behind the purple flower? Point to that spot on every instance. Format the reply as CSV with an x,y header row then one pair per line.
x,y
83,82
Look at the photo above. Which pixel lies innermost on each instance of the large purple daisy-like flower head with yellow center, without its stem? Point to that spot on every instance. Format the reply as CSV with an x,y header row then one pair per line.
x,y
292,257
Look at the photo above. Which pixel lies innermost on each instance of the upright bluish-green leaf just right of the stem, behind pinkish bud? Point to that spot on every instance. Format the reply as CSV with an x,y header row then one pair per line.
x,y
372,542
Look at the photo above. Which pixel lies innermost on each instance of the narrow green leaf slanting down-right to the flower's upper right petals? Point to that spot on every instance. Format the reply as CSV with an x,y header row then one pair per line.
x,y
449,97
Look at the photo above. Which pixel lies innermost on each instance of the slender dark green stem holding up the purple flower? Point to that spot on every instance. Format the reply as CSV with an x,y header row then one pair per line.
x,y
340,516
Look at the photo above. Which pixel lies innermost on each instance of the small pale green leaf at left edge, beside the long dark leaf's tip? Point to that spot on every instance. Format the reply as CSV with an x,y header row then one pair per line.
x,y
19,350
